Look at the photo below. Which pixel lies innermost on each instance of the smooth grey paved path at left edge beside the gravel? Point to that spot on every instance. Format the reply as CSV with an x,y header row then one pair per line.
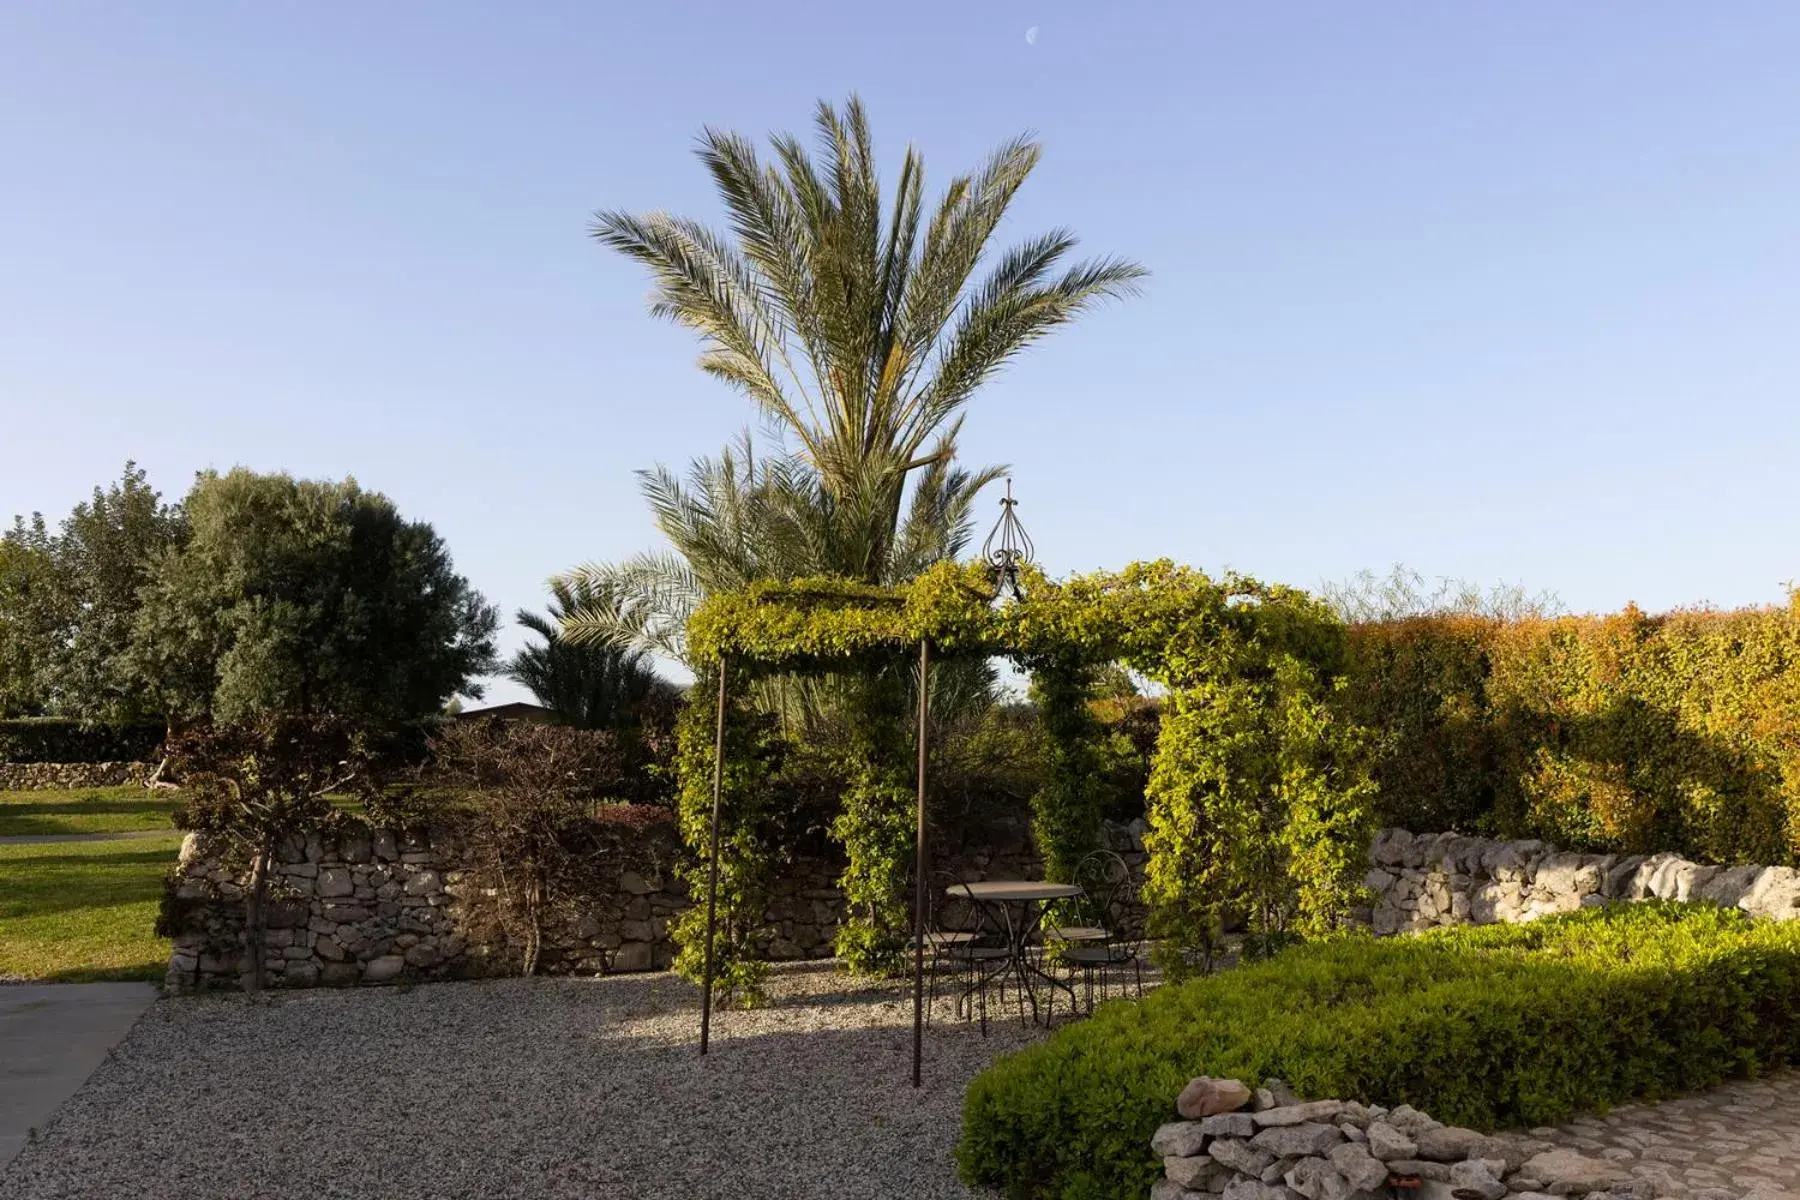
x,y
51,1041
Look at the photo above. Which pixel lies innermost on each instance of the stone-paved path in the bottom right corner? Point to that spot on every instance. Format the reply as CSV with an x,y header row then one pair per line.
x,y
1736,1143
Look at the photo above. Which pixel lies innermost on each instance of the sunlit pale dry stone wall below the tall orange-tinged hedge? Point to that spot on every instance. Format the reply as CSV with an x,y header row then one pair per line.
x,y
1441,879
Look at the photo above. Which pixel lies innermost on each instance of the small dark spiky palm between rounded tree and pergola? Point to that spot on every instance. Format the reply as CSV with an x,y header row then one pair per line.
x,y
588,686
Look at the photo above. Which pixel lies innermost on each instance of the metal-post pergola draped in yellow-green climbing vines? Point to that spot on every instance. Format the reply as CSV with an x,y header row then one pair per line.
x,y
1257,794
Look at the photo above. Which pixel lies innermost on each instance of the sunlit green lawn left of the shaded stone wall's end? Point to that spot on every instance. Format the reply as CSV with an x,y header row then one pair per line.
x,y
84,911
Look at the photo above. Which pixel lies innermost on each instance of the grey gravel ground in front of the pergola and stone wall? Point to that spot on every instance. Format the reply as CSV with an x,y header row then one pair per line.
x,y
523,1088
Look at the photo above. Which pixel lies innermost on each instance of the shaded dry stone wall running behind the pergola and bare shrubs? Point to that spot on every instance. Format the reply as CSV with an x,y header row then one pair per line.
x,y
379,908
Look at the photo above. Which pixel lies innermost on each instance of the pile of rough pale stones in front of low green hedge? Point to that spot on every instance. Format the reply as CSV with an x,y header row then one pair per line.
x,y
1266,1143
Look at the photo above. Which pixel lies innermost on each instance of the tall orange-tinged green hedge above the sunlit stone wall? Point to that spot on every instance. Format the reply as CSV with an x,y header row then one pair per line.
x,y
1624,733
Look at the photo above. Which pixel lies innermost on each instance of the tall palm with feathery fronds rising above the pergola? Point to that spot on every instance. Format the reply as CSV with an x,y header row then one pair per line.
x,y
859,337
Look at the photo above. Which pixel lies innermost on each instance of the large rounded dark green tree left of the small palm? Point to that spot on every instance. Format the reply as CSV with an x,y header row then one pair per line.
x,y
303,596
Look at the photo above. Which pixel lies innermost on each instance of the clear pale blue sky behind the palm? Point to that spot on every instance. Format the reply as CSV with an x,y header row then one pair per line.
x,y
1504,292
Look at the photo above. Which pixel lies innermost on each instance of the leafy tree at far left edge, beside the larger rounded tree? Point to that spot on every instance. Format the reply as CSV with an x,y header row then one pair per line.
x,y
71,600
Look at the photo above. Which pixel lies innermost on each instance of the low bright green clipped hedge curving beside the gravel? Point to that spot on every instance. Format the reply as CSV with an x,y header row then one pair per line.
x,y
1489,1028
